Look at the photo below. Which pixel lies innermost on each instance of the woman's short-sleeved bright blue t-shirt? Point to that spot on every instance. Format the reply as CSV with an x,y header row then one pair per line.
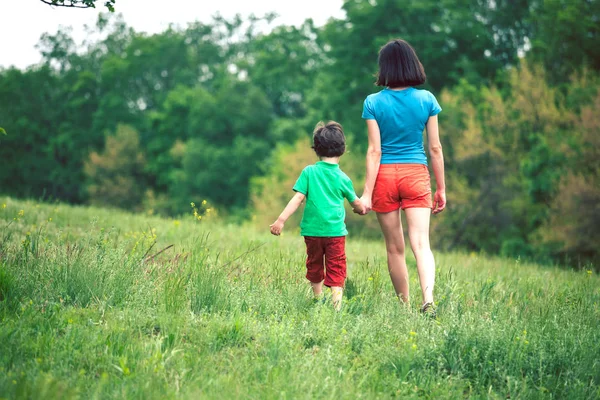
x,y
401,116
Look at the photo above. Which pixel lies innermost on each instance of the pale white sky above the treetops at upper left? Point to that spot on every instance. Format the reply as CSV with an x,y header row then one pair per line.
x,y
22,22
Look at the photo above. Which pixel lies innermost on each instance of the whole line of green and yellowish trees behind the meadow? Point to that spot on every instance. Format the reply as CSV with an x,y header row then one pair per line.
x,y
222,111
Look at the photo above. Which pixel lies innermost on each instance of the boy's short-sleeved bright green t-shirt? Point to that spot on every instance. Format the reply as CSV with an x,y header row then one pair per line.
x,y
325,187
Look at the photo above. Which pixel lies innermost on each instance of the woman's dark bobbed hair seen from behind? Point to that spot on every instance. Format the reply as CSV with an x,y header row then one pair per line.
x,y
399,65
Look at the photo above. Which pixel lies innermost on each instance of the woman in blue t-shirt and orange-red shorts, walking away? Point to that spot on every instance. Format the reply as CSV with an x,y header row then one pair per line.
x,y
397,175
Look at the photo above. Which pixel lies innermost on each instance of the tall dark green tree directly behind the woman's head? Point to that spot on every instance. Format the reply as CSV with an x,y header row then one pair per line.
x,y
454,39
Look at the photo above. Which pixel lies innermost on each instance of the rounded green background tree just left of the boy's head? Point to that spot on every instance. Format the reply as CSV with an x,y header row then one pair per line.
x,y
229,131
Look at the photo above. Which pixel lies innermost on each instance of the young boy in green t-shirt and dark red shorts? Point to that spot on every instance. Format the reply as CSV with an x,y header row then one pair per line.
x,y
324,186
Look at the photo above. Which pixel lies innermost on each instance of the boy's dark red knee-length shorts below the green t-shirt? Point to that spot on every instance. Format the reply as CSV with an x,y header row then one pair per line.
x,y
333,249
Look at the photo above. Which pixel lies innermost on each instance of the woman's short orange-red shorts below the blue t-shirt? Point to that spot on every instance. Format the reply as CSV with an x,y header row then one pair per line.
x,y
402,186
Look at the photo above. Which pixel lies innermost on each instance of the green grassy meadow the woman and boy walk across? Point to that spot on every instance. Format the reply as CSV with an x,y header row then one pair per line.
x,y
86,312
